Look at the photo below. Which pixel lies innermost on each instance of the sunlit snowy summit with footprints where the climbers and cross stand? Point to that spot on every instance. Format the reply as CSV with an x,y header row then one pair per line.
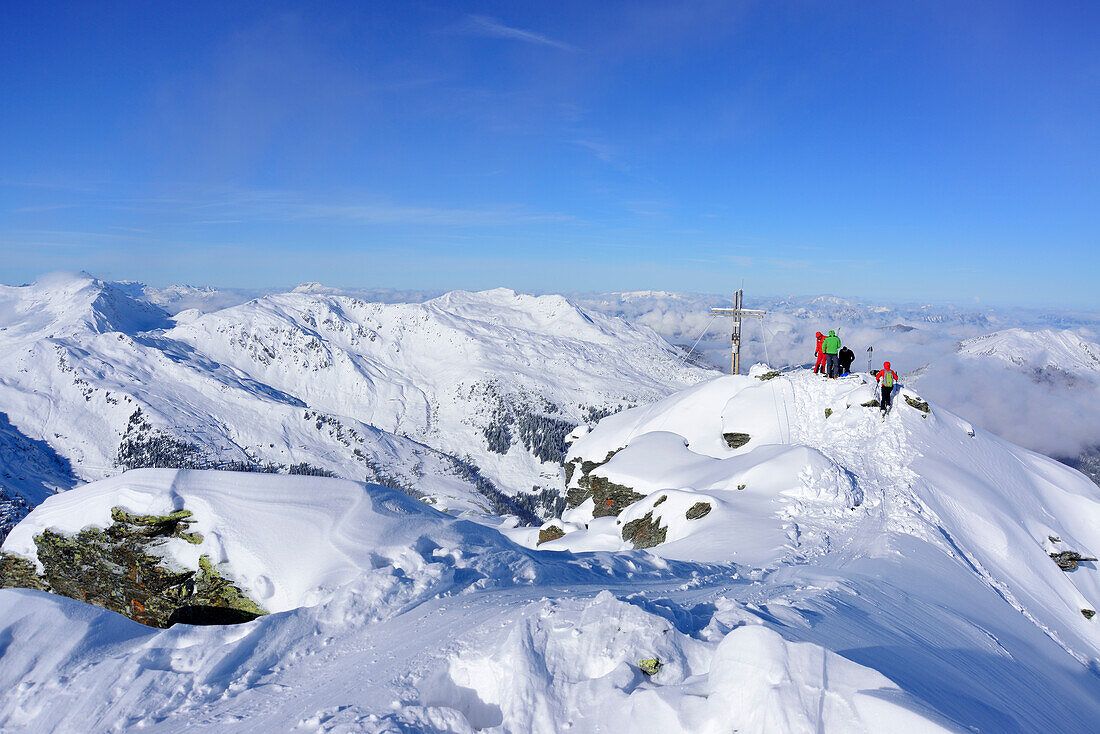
x,y
794,467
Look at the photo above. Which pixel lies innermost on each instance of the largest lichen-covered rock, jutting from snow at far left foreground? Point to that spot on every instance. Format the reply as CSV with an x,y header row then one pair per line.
x,y
119,569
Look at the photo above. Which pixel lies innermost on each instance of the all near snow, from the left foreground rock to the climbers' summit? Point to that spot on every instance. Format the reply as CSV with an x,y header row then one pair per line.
x,y
852,575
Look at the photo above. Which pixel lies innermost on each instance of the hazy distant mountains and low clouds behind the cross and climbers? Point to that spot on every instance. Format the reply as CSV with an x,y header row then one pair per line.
x,y
1027,375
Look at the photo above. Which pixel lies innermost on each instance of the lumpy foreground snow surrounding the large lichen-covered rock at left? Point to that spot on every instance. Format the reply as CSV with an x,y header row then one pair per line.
x,y
452,627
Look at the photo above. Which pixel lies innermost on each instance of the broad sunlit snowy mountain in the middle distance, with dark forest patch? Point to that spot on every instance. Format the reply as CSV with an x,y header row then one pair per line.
x,y
496,376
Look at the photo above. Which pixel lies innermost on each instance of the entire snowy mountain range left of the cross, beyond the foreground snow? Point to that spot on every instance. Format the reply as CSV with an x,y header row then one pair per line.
x,y
457,399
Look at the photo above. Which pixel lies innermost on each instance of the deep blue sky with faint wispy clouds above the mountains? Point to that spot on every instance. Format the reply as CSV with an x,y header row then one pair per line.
x,y
885,150
